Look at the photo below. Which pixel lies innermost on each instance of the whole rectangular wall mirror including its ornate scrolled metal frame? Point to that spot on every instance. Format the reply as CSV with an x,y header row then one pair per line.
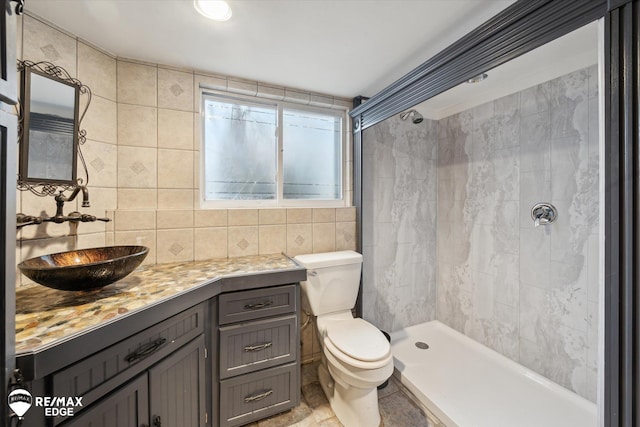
x,y
50,135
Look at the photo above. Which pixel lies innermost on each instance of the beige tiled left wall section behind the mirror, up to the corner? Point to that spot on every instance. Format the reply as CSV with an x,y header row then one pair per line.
x,y
40,41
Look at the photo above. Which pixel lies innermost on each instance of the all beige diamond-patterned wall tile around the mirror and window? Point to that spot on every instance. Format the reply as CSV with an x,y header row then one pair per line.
x,y
142,155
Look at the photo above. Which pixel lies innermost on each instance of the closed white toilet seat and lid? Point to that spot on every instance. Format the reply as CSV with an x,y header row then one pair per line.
x,y
358,343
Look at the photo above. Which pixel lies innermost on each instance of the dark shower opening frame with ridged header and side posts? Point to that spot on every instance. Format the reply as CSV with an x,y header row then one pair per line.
x,y
520,28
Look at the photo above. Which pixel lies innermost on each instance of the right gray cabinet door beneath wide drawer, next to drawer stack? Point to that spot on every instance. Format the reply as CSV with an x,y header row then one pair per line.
x,y
177,388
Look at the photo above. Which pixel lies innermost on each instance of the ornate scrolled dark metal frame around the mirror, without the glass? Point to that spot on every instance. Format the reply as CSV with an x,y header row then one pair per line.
x,y
39,186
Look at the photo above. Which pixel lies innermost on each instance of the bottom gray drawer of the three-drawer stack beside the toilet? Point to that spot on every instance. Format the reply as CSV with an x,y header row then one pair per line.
x,y
258,395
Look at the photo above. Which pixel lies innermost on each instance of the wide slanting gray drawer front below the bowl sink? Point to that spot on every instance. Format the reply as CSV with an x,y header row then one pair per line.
x,y
98,374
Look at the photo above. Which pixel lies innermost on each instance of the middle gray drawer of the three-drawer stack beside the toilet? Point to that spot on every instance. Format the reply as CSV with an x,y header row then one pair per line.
x,y
256,345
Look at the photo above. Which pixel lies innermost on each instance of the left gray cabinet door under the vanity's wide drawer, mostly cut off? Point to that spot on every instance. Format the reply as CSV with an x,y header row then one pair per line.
x,y
125,407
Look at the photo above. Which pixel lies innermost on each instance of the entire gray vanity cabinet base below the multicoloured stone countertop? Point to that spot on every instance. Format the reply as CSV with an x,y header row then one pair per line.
x,y
224,354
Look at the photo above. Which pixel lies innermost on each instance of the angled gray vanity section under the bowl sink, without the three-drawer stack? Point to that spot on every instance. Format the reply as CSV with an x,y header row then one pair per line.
x,y
155,377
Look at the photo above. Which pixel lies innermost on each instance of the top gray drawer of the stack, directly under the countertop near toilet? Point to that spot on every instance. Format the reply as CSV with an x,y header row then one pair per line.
x,y
254,304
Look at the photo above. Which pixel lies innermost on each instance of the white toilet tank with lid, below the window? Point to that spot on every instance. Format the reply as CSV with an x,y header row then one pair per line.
x,y
332,281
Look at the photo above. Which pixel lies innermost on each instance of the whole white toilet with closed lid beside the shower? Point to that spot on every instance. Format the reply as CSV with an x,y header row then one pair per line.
x,y
356,355
